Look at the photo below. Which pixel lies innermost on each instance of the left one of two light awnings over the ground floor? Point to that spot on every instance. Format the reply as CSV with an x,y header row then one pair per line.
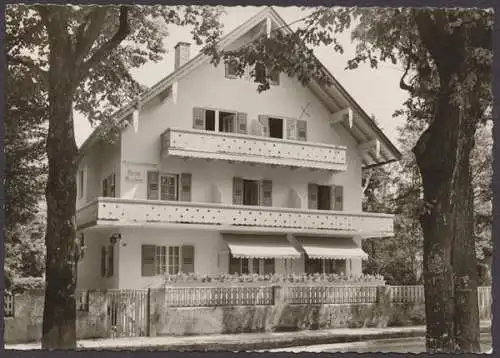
x,y
260,246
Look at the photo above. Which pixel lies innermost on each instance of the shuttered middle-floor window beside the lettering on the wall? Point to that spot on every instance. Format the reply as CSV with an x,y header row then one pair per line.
x,y
162,186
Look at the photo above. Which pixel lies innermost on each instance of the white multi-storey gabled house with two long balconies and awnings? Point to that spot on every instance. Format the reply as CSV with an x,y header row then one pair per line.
x,y
212,177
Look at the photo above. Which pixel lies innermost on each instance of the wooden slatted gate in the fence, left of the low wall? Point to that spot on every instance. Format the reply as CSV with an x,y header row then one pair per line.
x,y
128,313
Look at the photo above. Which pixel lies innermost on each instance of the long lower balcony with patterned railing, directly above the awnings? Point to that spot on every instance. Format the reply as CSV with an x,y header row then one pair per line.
x,y
131,212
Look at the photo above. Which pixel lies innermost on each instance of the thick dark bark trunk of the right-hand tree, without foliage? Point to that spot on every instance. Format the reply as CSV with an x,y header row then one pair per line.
x,y
450,278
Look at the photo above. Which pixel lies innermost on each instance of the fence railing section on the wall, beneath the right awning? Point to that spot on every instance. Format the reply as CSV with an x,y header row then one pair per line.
x,y
330,294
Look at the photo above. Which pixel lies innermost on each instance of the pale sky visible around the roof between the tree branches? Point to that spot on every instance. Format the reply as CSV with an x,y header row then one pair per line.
x,y
376,90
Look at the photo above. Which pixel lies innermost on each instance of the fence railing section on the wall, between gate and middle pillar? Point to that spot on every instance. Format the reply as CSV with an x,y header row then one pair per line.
x,y
219,296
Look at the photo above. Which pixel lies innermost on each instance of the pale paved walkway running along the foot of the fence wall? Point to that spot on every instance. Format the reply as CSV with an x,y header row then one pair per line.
x,y
247,341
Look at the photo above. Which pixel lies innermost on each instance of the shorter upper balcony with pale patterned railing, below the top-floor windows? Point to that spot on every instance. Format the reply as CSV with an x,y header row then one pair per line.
x,y
252,149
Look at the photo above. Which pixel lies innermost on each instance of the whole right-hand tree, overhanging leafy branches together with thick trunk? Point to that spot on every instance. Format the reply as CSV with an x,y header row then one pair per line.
x,y
447,56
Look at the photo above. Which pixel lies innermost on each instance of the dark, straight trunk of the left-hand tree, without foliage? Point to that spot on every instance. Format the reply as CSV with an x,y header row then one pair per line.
x,y
59,315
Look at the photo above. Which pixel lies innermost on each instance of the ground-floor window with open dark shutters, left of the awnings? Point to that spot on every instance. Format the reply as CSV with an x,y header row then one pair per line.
x,y
159,260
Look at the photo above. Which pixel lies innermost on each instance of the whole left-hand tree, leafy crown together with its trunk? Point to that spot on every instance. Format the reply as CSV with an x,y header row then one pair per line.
x,y
80,58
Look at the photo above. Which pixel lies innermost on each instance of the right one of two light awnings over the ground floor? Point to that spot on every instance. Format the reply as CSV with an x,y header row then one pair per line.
x,y
331,248
